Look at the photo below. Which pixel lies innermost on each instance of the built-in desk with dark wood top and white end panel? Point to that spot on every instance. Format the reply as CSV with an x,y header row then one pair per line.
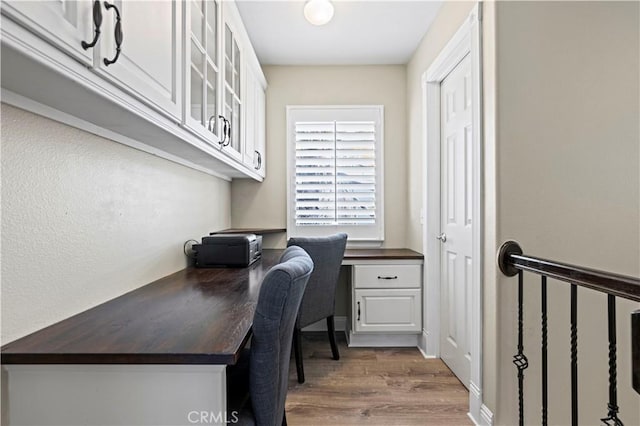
x,y
154,356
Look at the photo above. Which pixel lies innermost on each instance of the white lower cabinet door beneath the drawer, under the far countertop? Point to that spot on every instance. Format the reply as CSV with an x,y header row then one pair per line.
x,y
387,310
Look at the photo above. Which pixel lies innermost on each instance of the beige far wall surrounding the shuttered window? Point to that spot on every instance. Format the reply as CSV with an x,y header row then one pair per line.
x,y
264,205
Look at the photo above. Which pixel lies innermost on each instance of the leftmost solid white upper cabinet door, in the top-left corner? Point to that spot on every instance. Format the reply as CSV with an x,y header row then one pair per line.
x,y
63,23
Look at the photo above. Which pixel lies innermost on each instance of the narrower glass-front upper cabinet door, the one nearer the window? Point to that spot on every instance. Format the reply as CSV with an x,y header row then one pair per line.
x,y
232,108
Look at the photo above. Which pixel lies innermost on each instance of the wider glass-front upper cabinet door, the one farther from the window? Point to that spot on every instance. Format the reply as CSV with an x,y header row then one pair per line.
x,y
202,78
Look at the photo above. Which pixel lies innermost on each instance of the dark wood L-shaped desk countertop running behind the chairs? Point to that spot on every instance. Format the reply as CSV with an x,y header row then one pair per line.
x,y
195,316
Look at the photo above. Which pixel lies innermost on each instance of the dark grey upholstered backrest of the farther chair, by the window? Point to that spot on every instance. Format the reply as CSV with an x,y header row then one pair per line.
x,y
319,297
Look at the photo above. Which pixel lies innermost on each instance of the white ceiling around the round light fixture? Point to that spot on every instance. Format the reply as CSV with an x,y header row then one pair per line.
x,y
361,31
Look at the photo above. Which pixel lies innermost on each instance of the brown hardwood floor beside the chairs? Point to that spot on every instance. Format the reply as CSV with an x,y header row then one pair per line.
x,y
373,386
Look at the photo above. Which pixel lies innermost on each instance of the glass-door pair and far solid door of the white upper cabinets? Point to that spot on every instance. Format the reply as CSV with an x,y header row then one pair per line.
x,y
223,83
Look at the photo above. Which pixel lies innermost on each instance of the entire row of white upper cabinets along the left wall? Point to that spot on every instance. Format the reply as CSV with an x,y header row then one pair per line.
x,y
166,76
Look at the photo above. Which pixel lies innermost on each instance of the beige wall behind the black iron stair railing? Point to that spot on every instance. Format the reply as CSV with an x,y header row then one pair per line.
x,y
568,188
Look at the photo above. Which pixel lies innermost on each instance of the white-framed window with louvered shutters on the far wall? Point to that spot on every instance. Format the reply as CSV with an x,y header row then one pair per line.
x,y
334,163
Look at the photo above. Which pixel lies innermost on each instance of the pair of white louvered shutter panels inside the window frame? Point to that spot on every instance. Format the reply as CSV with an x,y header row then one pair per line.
x,y
335,173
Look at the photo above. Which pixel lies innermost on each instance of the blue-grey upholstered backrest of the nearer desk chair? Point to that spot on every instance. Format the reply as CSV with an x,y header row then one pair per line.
x,y
278,302
